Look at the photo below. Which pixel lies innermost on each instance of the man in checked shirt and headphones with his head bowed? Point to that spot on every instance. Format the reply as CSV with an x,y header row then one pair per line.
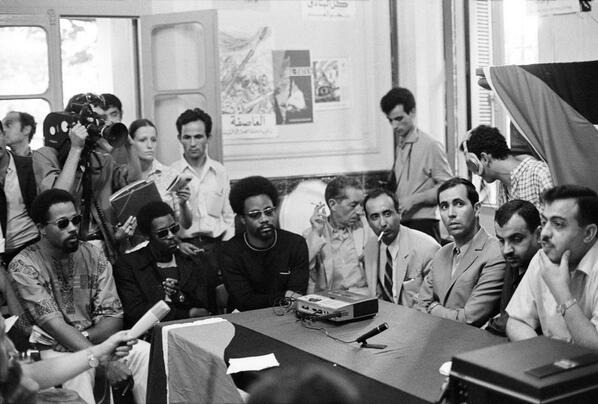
x,y
520,176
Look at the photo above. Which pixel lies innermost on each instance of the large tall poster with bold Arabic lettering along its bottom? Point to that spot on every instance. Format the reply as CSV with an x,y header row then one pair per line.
x,y
246,82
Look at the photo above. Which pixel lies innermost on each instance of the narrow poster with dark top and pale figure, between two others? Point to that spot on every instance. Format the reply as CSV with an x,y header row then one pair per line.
x,y
293,98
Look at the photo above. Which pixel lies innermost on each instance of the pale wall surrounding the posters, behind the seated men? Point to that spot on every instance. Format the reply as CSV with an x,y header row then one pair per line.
x,y
350,140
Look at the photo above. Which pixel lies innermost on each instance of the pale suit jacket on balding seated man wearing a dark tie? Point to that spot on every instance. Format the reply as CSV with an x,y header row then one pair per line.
x,y
416,250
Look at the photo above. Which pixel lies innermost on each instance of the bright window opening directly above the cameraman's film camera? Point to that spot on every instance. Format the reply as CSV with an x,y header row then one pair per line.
x,y
98,57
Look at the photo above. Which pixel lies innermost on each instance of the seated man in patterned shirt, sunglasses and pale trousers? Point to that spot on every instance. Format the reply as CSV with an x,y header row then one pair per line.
x,y
66,287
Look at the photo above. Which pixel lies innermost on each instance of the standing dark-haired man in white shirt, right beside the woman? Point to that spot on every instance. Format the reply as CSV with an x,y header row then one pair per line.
x,y
213,218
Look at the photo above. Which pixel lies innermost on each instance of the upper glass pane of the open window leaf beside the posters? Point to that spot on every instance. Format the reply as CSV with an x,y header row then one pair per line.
x,y
177,52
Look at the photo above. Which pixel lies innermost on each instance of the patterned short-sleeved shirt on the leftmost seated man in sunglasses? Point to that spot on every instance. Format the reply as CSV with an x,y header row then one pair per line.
x,y
79,288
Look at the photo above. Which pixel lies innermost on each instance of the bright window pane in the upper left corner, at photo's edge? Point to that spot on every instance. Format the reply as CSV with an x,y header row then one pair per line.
x,y
23,60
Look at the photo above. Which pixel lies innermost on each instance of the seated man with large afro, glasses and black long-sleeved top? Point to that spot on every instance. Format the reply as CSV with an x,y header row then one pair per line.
x,y
262,265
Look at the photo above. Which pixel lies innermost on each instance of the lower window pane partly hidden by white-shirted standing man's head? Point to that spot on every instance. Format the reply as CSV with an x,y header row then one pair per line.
x,y
167,109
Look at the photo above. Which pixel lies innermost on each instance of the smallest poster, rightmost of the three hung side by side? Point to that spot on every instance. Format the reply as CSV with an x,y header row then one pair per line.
x,y
330,83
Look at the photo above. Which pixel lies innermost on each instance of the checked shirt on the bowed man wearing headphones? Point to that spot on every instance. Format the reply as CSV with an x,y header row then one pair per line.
x,y
528,180
